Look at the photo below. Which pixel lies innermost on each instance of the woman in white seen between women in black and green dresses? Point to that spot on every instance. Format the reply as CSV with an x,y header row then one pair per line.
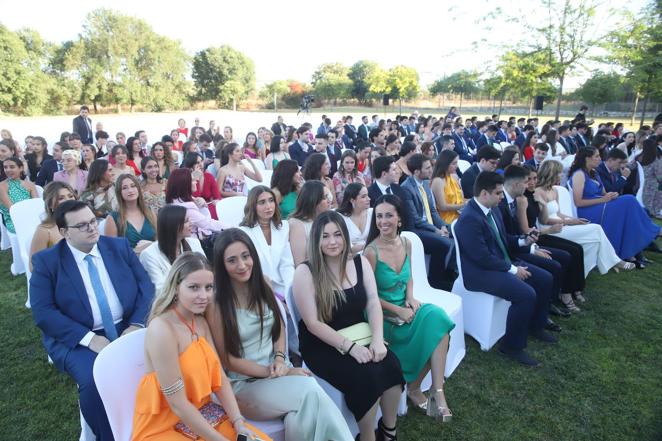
x,y
356,212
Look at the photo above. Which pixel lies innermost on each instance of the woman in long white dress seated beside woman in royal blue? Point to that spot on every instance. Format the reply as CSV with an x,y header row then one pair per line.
x,y
598,251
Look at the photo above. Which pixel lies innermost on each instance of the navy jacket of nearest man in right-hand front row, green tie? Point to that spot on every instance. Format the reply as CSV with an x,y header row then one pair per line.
x,y
480,249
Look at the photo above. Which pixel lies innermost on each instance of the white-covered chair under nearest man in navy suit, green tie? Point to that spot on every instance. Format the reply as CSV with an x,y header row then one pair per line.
x,y
484,314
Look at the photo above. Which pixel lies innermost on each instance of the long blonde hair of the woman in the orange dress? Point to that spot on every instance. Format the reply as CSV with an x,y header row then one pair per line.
x,y
184,265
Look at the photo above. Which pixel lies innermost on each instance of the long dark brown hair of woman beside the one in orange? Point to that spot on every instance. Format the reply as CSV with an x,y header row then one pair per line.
x,y
261,295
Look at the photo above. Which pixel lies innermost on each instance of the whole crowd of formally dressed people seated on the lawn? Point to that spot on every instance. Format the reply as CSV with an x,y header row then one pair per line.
x,y
327,228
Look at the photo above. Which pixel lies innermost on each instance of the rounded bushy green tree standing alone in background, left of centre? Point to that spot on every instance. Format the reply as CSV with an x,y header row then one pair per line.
x,y
214,67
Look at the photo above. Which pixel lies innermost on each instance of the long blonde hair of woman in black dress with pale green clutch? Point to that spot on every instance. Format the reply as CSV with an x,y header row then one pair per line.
x,y
329,293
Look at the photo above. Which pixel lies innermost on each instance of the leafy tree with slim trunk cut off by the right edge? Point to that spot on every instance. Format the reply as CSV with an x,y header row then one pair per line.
x,y
638,49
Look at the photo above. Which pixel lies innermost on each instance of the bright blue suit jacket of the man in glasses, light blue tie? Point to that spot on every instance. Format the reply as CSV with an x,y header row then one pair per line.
x,y
60,305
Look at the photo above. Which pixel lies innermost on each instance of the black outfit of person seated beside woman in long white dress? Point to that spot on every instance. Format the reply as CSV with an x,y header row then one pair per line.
x,y
574,280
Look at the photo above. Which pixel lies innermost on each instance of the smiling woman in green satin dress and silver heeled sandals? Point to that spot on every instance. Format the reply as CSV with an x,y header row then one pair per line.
x,y
417,333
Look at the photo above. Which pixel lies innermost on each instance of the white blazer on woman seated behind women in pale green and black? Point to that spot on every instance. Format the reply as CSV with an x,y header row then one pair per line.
x,y
276,260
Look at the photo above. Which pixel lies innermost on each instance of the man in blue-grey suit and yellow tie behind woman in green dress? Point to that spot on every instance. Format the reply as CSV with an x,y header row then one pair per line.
x,y
424,220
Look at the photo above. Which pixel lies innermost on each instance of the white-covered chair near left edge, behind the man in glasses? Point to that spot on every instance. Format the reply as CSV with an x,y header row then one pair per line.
x,y
27,215
